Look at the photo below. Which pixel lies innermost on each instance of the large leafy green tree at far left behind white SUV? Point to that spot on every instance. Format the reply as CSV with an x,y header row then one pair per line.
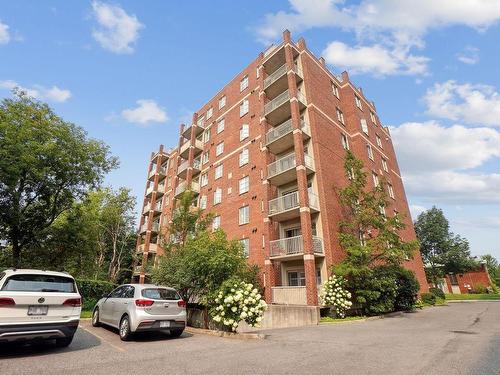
x,y
46,164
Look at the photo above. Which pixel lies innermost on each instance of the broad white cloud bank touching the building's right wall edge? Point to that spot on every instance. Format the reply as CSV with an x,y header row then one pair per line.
x,y
439,164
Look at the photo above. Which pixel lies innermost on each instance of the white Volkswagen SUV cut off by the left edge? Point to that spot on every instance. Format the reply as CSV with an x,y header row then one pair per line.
x,y
38,305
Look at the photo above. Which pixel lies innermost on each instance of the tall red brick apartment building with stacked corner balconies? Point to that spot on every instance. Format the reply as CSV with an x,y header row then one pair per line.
x,y
265,155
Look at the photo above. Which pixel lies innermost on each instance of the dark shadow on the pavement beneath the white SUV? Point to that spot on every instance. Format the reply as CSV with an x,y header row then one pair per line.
x,y
82,340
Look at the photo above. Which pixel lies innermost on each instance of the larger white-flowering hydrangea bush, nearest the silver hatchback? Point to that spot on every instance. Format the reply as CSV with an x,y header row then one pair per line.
x,y
236,301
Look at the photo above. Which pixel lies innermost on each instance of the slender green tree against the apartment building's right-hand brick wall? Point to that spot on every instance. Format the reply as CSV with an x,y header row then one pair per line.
x,y
370,239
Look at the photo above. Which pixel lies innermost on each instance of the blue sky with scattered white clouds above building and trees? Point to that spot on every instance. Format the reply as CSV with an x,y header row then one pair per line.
x,y
129,72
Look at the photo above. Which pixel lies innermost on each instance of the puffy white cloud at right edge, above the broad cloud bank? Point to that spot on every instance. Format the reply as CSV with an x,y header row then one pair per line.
x,y
473,104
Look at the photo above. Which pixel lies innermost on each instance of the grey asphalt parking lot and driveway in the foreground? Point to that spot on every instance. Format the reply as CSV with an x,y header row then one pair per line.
x,y
461,338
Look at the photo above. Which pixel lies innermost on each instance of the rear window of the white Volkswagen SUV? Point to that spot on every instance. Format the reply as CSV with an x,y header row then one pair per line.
x,y
39,283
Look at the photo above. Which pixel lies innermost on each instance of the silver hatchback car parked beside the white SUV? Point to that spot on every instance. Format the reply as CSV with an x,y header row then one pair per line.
x,y
141,307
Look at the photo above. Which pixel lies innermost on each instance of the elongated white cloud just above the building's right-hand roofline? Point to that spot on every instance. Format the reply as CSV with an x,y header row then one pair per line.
x,y
375,59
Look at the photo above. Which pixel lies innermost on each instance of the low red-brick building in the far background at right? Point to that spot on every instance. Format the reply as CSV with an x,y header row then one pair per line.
x,y
463,283
